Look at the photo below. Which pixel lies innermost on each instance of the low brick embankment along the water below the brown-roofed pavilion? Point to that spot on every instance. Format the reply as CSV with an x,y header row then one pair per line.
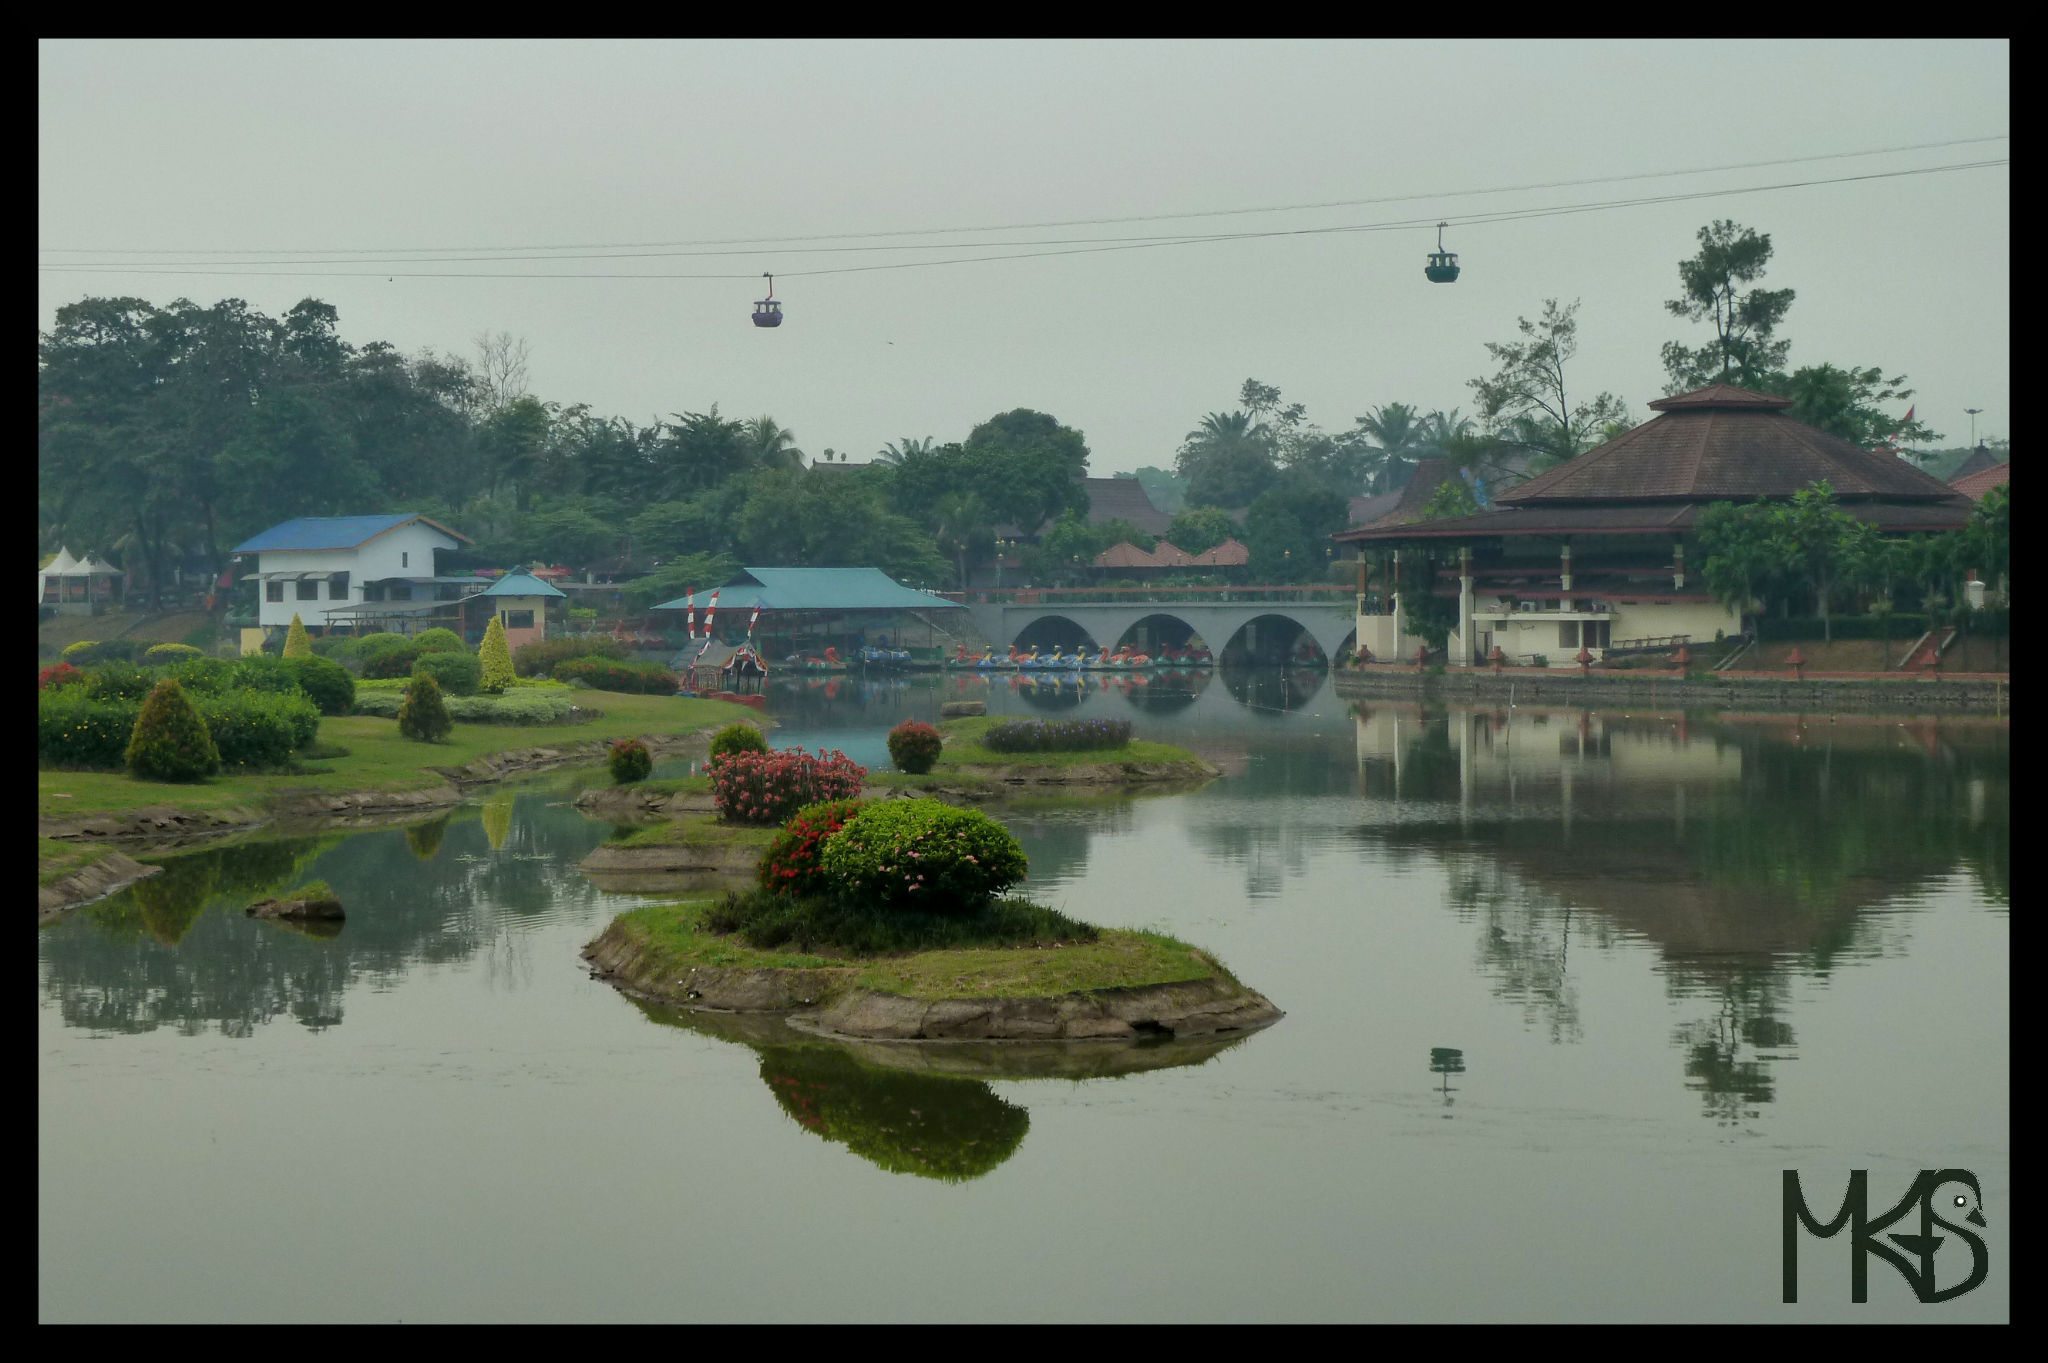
x,y
1725,691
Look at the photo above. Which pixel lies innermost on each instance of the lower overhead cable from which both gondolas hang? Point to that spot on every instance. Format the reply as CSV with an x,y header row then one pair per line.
x,y
1091,247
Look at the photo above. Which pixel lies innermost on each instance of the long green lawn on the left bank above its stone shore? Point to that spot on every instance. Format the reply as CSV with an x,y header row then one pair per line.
x,y
380,758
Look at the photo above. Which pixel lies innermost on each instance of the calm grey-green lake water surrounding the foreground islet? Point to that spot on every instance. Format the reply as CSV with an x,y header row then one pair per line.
x,y
1566,994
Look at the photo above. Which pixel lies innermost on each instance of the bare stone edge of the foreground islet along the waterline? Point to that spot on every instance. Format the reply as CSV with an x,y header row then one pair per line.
x,y
824,1002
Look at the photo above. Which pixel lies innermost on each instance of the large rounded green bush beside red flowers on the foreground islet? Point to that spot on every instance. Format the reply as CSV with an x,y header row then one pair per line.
x,y
923,854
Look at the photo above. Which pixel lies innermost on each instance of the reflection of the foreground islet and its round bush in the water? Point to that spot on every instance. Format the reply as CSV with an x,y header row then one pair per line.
x,y
919,1110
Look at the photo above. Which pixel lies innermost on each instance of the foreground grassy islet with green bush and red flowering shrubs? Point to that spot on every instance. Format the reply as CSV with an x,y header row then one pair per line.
x,y
892,920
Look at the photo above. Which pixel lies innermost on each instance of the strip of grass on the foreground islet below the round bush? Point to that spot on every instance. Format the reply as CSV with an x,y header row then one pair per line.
x,y
1119,961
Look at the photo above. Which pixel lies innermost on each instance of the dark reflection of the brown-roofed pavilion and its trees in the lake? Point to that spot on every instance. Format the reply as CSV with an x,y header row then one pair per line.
x,y
1746,850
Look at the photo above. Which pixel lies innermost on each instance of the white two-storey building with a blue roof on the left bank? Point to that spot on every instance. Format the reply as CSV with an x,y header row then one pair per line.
x,y
329,568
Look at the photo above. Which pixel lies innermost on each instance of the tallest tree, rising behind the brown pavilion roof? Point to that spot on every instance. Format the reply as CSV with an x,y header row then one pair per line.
x,y
1713,285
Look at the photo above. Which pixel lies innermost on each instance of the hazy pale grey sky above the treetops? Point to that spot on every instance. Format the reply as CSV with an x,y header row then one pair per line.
x,y
232,159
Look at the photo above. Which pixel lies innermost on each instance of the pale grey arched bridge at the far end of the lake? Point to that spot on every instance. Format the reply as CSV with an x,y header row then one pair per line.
x,y
1113,617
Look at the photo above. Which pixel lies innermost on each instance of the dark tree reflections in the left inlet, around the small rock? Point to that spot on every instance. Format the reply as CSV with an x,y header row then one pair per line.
x,y
175,949
